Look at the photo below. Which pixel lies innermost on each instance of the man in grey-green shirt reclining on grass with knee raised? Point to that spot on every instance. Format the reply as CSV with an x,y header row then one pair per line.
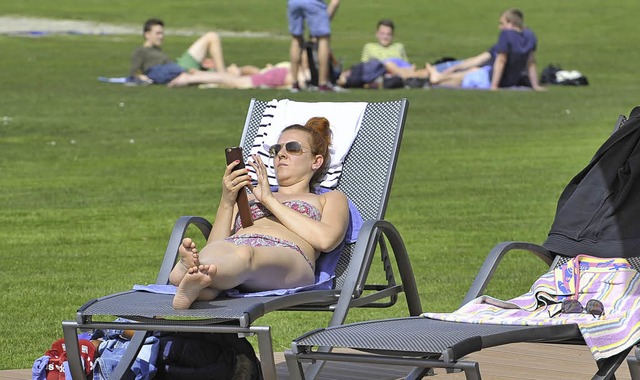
x,y
150,64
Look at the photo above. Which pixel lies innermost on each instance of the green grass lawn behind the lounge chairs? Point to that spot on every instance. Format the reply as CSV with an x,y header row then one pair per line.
x,y
93,175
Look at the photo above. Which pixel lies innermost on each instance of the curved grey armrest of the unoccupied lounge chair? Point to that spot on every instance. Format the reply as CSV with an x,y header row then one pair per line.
x,y
493,259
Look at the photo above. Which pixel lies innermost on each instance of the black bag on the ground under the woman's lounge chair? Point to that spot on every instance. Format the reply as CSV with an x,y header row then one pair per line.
x,y
190,356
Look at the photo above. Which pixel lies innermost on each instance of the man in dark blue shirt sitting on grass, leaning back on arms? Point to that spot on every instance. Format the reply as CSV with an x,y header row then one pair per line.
x,y
510,62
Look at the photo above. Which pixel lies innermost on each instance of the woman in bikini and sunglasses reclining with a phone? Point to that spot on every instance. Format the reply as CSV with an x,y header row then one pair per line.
x,y
291,226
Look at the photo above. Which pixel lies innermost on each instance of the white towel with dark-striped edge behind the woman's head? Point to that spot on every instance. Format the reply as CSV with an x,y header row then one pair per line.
x,y
345,119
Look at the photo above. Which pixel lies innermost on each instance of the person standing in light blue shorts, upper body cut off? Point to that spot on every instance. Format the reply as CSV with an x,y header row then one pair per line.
x,y
317,15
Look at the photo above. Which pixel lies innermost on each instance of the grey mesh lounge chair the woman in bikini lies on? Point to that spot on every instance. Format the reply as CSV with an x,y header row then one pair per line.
x,y
366,181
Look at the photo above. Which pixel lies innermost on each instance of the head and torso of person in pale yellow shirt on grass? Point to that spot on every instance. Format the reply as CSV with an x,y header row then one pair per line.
x,y
385,49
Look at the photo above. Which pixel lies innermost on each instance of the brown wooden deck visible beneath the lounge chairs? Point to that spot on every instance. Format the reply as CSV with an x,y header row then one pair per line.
x,y
521,361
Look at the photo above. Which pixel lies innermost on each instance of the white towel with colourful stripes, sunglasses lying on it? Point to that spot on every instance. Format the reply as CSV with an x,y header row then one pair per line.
x,y
612,281
